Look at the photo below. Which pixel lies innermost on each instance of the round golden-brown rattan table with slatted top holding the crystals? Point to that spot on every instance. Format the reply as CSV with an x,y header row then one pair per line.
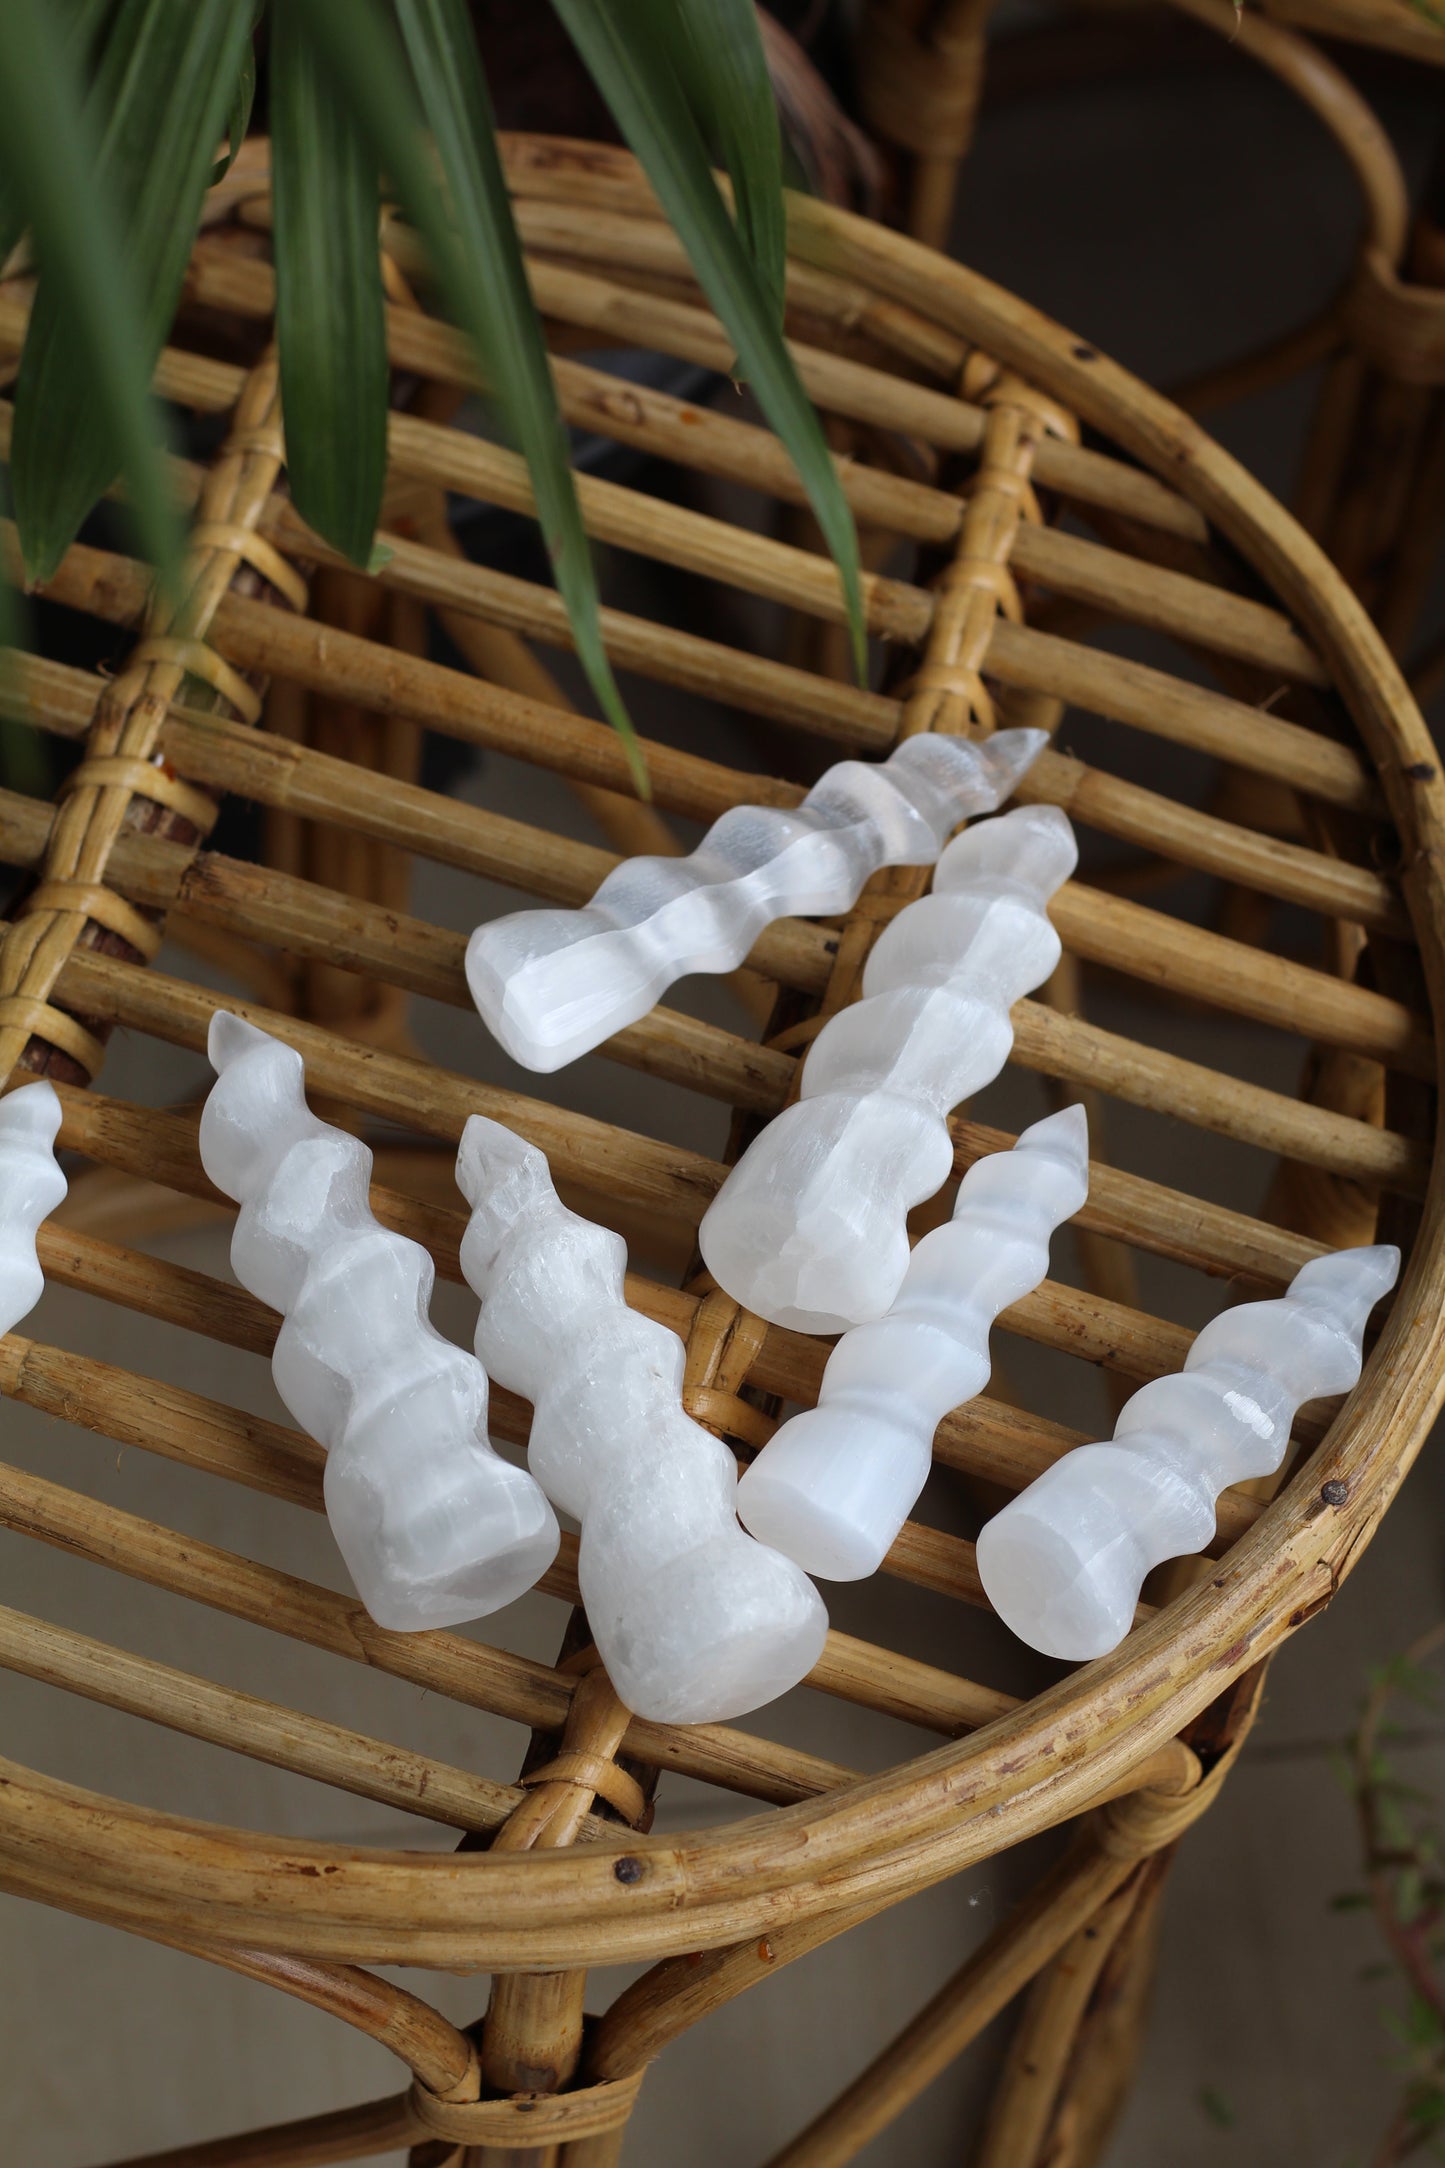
x,y
978,402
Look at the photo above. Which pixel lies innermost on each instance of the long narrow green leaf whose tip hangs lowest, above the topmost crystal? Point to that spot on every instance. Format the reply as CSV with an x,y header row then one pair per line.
x,y
478,257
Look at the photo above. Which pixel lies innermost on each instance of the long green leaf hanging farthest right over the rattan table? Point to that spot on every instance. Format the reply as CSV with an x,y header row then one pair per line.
x,y
636,75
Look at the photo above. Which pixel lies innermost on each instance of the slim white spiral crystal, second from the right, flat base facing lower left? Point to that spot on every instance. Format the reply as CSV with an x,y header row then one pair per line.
x,y
835,1486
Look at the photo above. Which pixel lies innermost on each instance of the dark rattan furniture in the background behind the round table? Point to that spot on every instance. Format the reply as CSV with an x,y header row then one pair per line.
x,y
1370,485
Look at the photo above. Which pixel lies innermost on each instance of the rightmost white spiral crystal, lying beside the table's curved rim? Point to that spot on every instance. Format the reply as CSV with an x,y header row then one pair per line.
x,y
1065,1562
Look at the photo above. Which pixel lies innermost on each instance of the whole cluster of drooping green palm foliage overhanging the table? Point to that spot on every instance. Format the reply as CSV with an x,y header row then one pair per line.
x,y
684,79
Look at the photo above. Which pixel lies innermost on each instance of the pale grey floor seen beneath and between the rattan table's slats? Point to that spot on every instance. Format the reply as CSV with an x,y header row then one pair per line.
x,y
1266,2048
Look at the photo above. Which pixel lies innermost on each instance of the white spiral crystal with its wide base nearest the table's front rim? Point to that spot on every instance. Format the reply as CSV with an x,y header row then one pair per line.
x,y
692,1618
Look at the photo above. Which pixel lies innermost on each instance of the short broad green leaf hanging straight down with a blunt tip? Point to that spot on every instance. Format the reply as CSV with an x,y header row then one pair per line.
x,y
330,313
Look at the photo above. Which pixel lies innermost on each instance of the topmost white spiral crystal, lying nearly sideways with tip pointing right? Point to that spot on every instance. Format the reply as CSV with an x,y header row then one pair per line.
x,y
554,985
